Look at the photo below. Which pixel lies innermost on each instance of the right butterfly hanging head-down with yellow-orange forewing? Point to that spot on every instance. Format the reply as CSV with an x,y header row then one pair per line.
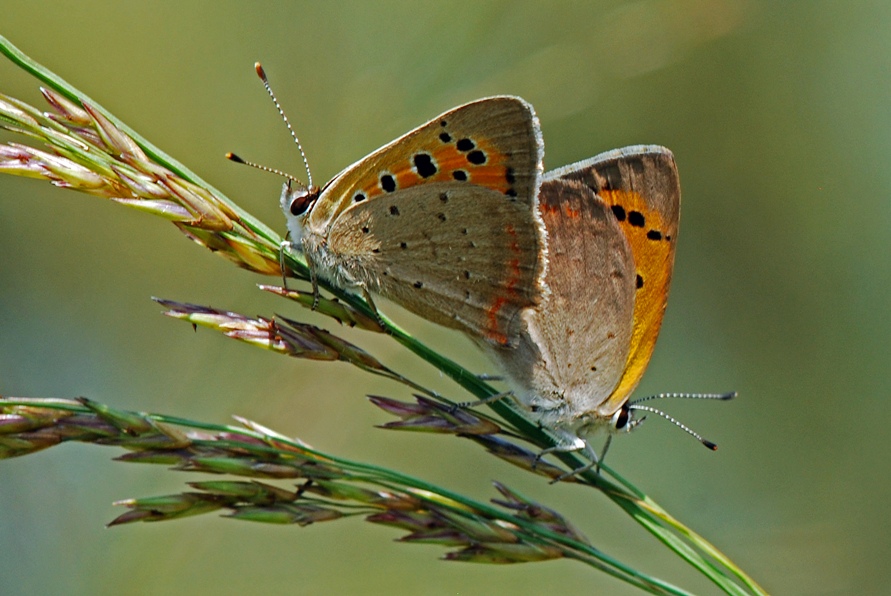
x,y
612,224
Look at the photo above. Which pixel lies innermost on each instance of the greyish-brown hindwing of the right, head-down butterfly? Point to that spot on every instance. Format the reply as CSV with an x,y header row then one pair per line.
x,y
574,346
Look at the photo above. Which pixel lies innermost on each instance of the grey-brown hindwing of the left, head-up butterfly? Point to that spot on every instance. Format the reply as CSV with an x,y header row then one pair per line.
x,y
459,255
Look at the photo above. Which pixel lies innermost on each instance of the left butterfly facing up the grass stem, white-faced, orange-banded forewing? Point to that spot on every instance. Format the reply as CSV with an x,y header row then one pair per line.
x,y
443,221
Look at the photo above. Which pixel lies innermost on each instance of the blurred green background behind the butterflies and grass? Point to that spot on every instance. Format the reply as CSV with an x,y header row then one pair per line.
x,y
778,114
